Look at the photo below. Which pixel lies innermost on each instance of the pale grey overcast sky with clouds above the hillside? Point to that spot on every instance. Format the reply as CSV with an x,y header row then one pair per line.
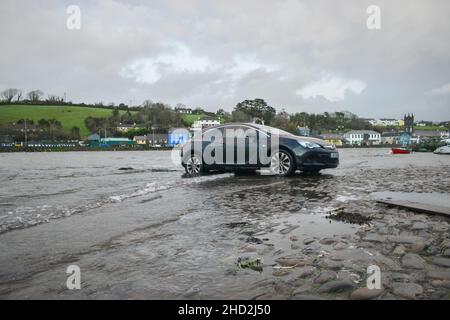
x,y
311,56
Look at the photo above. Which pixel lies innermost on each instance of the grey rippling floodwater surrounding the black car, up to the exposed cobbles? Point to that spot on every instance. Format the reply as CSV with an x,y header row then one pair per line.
x,y
139,229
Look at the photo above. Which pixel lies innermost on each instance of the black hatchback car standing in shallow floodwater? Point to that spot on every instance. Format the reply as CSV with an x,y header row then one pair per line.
x,y
244,146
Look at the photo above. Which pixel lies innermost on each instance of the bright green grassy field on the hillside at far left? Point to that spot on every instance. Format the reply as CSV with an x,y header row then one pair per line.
x,y
69,116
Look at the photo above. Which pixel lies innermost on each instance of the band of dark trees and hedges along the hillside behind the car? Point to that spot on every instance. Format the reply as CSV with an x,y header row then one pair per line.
x,y
159,117
